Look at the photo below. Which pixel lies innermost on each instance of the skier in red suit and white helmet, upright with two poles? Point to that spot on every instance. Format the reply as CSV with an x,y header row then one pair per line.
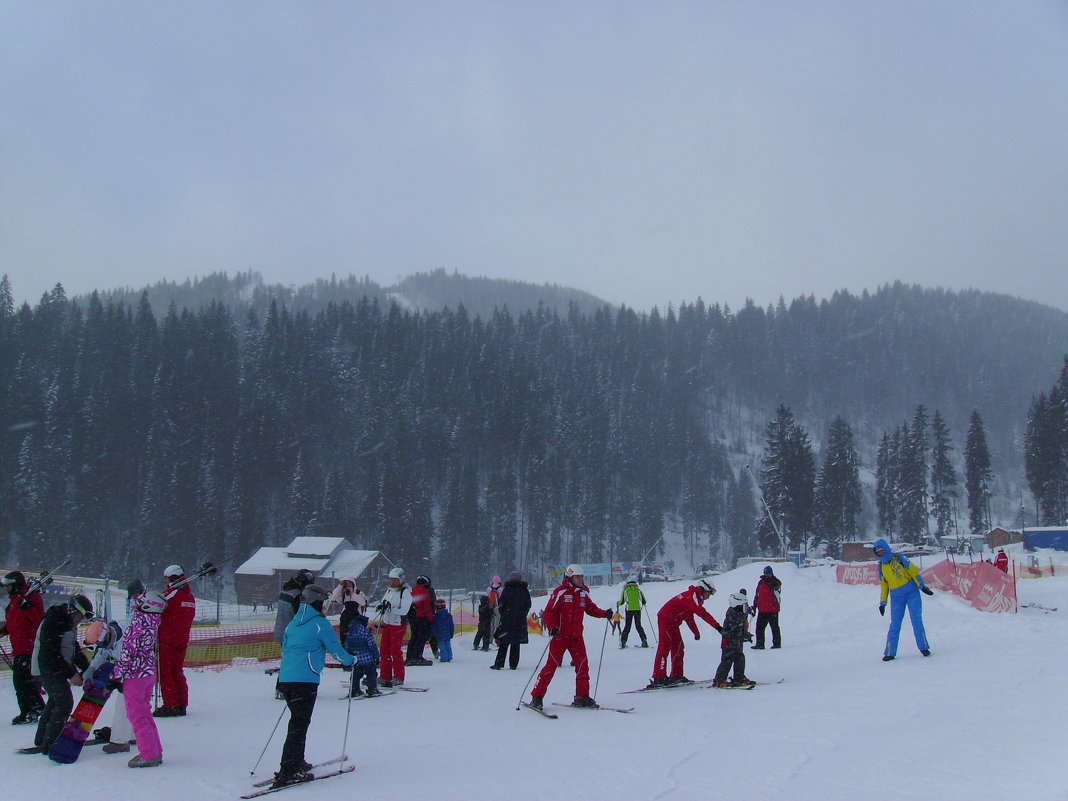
x,y
562,619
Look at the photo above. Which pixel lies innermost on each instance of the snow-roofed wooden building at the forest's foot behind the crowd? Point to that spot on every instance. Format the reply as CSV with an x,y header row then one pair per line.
x,y
260,579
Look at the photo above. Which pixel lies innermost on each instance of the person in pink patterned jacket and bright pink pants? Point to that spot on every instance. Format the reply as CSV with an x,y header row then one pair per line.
x,y
135,677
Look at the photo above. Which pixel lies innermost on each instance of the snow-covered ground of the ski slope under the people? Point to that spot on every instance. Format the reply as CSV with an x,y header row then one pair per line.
x,y
982,719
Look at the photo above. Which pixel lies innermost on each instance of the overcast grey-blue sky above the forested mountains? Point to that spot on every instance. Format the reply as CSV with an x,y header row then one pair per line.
x,y
648,153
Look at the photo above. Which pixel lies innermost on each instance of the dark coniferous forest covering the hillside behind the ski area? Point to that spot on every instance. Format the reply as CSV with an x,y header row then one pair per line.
x,y
136,437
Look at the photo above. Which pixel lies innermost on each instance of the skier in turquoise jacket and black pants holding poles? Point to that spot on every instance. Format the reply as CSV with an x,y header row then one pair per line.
x,y
305,646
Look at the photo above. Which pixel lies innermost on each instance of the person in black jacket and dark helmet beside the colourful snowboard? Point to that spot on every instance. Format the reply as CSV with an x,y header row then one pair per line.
x,y
59,663
